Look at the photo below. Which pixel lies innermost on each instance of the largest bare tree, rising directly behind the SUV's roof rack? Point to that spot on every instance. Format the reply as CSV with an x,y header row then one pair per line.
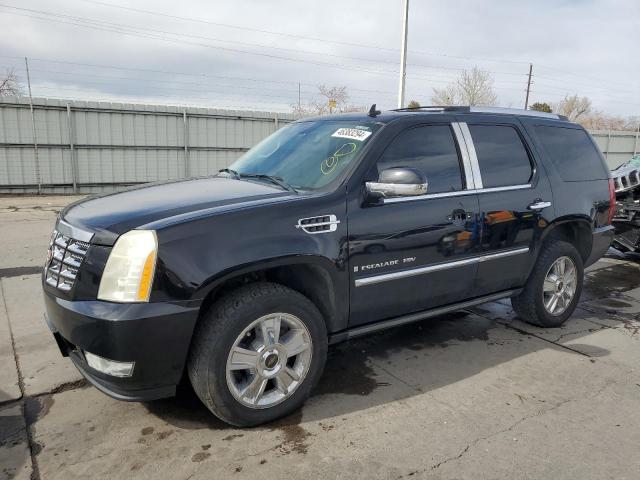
x,y
473,87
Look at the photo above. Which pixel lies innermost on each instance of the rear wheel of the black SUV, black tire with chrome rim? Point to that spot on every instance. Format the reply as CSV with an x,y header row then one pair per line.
x,y
530,304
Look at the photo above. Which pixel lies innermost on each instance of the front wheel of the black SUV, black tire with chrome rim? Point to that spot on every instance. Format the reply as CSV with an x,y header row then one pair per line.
x,y
226,323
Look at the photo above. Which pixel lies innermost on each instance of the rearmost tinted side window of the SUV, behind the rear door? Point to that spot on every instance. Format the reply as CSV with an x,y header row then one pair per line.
x,y
572,152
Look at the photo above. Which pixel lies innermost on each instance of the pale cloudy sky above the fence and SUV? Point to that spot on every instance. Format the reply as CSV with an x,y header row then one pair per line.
x,y
258,55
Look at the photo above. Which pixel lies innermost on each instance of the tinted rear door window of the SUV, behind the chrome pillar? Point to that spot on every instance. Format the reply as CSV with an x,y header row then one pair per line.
x,y
502,157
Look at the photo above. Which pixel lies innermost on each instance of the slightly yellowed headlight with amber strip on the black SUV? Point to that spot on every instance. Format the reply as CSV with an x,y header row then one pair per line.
x,y
128,275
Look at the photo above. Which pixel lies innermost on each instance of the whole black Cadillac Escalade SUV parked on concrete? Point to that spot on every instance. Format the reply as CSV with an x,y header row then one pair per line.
x,y
329,229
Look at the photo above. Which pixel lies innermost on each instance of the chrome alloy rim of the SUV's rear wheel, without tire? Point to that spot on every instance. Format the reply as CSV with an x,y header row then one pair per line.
x,y
559,286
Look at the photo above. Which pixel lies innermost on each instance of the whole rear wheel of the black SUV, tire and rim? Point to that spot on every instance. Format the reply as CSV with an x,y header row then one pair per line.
x,y
553,289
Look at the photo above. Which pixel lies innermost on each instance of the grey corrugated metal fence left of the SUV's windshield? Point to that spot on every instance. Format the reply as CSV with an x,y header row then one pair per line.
x,y
95,146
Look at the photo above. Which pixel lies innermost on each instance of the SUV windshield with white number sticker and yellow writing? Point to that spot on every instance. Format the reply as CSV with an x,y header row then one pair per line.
x,y
307,155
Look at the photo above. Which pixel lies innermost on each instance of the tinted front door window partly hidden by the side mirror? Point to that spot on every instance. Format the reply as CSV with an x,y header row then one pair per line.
x,y
431,149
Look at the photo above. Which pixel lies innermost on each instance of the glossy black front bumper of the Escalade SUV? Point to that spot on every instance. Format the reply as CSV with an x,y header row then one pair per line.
x,y
156,336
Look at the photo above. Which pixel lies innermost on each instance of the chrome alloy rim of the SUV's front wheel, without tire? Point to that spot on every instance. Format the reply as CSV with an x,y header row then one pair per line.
x,y
269,360
